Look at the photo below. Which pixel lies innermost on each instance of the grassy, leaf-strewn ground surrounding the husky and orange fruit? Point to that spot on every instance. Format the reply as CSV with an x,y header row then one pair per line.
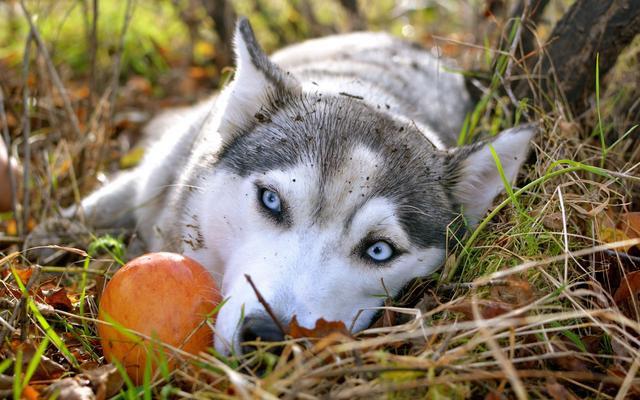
x,y
539,301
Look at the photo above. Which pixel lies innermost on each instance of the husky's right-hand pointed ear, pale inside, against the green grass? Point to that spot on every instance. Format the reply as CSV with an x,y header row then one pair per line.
x,y
475,178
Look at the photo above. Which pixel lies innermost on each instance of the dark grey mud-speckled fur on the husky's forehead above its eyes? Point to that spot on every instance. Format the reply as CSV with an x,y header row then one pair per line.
x,y
351,152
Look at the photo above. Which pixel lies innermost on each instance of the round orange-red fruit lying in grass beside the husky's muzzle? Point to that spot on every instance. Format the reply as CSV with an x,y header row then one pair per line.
x,y
164,296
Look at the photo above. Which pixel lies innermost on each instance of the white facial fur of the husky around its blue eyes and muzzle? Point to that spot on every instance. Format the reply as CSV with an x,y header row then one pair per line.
x,y
308,270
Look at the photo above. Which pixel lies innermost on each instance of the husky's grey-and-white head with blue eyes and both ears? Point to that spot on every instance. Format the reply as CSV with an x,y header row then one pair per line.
x,y
327,203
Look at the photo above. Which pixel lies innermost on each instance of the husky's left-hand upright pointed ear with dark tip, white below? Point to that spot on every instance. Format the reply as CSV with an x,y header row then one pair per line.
x,y
256,80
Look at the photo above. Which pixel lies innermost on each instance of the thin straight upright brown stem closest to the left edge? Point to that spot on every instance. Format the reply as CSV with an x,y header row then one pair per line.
x,y
26,132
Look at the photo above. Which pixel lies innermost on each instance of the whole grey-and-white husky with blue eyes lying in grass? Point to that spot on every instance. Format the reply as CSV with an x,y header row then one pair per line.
x,y
327,173
